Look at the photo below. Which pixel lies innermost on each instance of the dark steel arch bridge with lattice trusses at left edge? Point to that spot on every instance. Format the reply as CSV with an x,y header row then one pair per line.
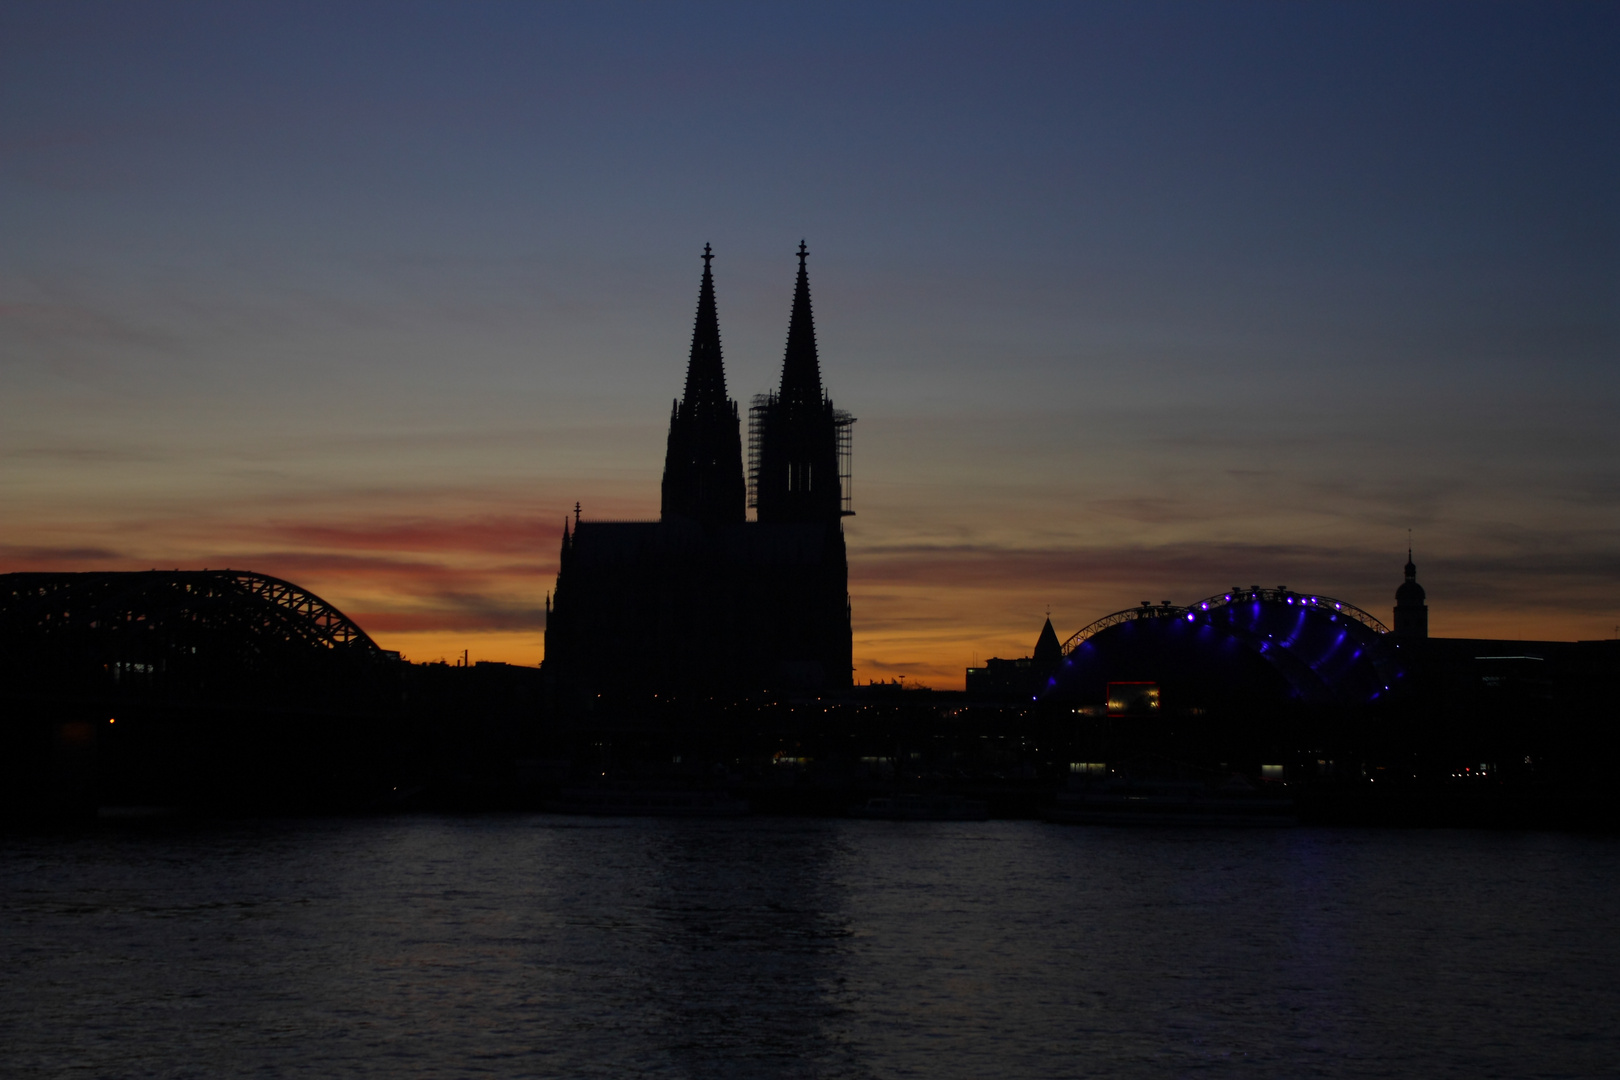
x,y
190,687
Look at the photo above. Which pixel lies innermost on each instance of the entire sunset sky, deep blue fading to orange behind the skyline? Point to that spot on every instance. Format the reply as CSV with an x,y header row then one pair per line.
x,y
1132,300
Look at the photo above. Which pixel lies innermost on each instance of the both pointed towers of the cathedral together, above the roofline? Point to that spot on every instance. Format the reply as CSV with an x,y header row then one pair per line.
x,y
798,466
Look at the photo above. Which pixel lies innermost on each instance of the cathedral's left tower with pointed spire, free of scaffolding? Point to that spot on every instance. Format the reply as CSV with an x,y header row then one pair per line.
x,y
704,462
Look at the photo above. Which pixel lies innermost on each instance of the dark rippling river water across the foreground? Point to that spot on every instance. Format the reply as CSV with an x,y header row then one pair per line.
x,y
545,946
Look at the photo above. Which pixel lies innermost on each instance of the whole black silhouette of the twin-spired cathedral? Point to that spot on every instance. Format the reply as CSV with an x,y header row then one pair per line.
x,y
704,603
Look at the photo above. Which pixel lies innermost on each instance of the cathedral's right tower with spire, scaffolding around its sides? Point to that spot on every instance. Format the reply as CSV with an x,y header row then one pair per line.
x,y
795,435
